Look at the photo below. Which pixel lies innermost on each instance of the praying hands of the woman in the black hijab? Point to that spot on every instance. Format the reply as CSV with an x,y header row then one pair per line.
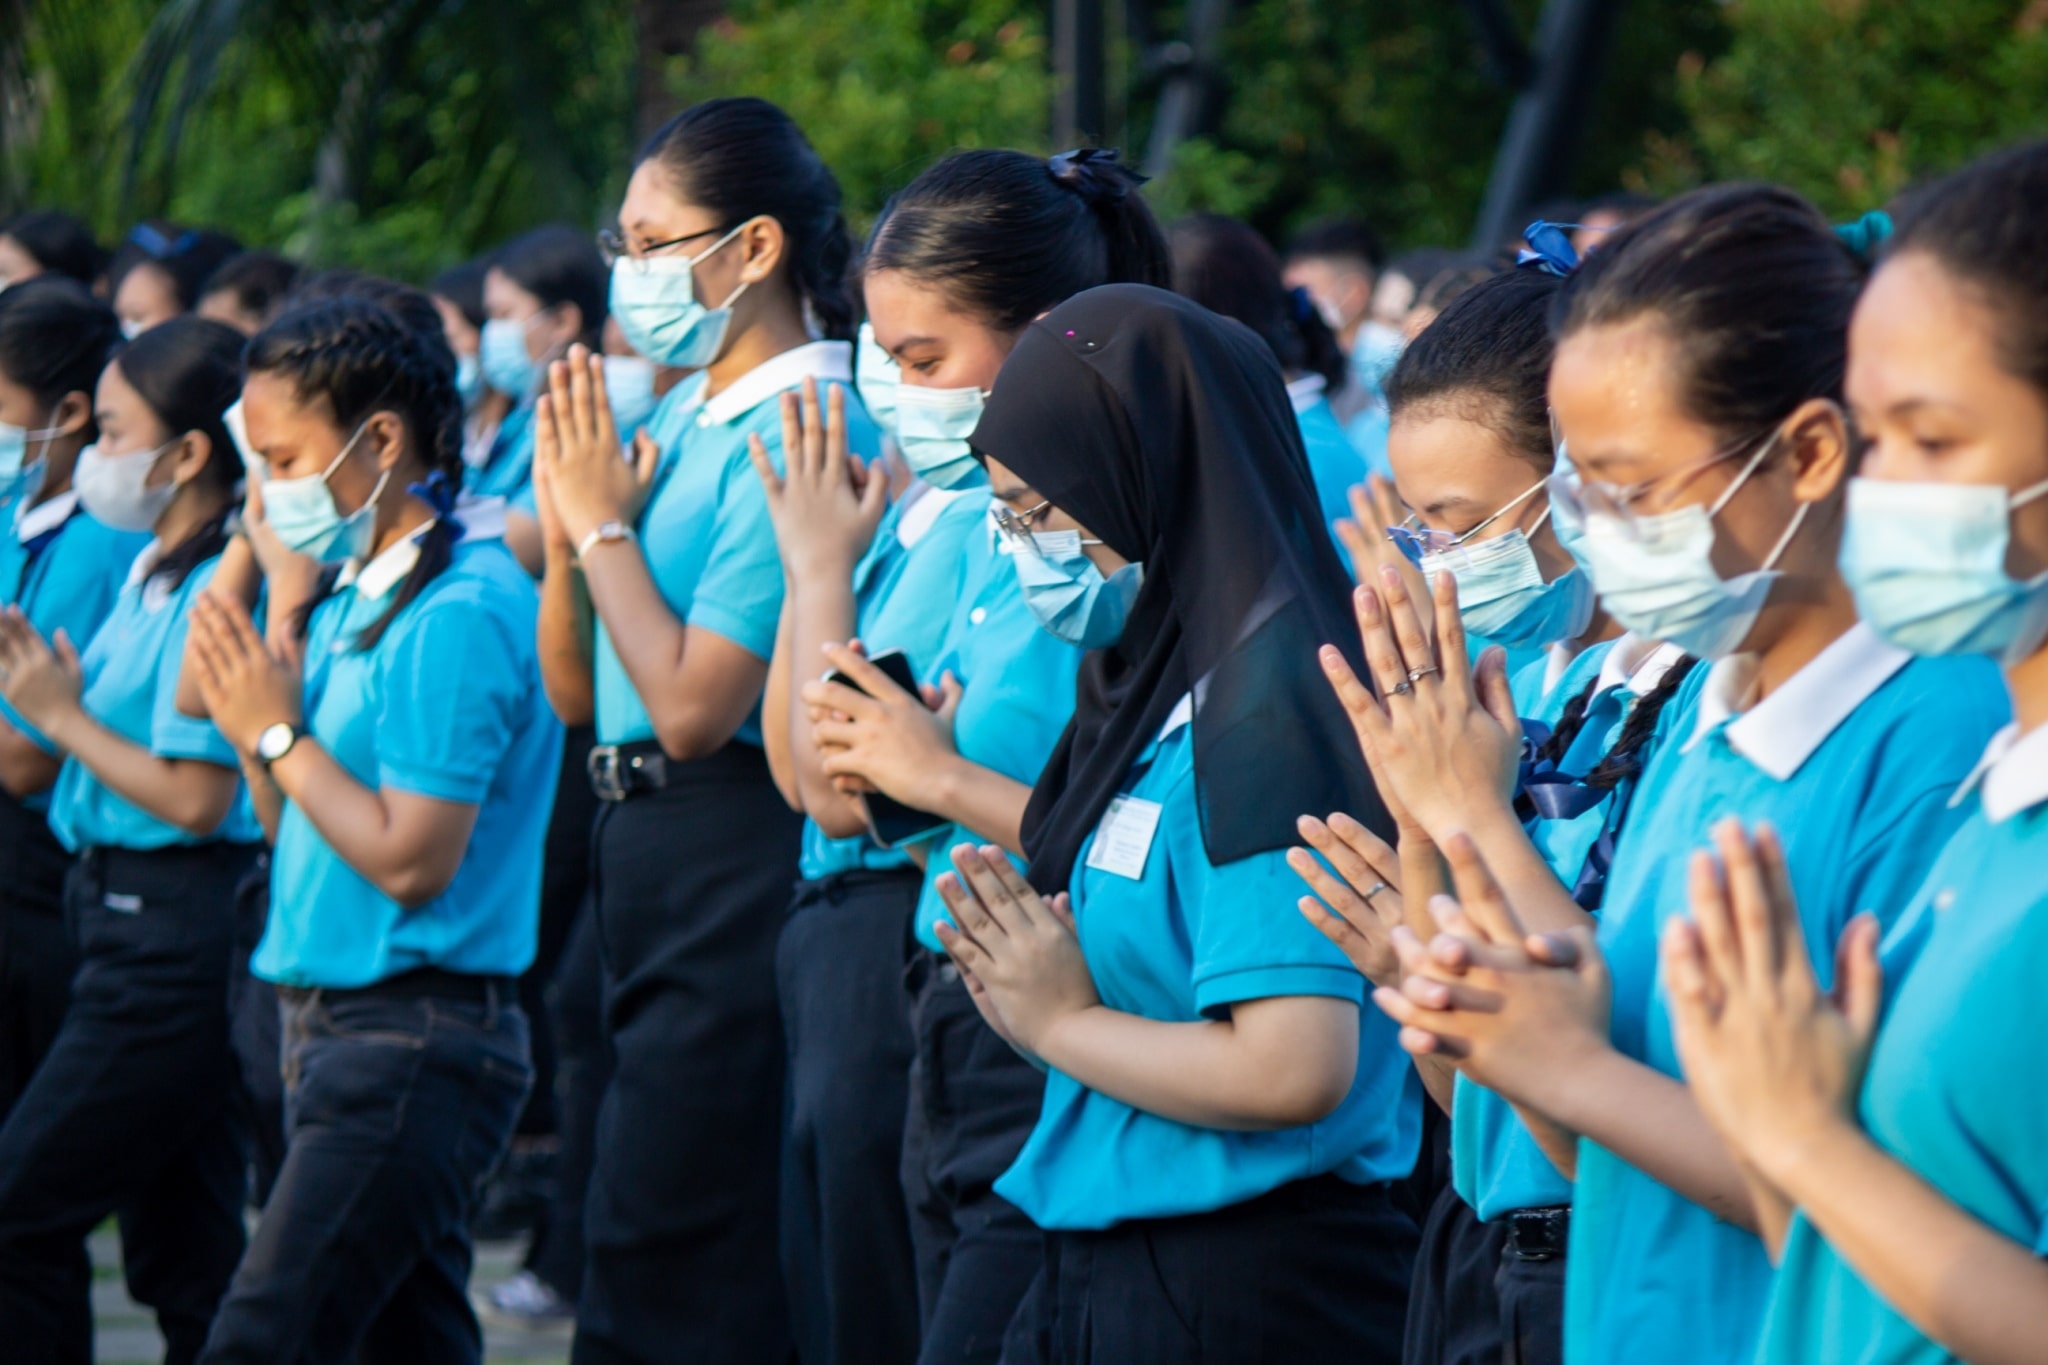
x,y
1019,946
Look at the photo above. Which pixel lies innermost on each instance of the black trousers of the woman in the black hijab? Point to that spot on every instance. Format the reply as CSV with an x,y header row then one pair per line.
x,y
1312,1272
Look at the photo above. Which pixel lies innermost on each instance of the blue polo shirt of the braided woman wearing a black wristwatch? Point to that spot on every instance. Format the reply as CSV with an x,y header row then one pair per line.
x,y
447,705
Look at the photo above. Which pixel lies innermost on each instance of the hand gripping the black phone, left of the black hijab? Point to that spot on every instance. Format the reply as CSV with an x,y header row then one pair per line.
x,y
886,736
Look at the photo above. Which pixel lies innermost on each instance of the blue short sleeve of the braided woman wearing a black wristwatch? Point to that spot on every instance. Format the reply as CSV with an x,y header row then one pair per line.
x,y
452,691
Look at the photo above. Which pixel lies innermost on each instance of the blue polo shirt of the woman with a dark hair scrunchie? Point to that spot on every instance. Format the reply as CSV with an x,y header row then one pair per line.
x,y
904,595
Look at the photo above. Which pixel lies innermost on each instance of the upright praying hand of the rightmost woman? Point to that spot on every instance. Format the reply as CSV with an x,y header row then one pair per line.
x,y
1773,1059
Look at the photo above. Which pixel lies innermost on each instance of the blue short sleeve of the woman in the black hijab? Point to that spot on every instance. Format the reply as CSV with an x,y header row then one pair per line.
x,y
1250,942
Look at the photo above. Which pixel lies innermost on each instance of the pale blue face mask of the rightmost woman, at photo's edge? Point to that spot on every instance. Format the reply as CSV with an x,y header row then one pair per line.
x,y
1928,568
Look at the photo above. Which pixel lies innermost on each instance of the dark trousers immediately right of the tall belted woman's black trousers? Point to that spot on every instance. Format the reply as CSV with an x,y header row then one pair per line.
x,y
847,1022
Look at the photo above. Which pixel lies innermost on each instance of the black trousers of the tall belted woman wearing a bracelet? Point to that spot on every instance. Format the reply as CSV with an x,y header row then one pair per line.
x,y
681,1223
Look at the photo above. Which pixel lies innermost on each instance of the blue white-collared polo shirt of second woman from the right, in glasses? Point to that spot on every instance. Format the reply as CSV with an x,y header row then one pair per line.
x,y
1854,760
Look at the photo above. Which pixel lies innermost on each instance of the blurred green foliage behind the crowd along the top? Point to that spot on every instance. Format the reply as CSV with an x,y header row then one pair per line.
x,y
409,134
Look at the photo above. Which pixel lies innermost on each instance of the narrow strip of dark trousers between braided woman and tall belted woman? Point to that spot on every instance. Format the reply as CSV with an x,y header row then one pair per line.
x,y
583,1073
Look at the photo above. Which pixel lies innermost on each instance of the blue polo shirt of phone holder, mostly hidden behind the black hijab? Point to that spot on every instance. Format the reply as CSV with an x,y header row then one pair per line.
x,y
1017,695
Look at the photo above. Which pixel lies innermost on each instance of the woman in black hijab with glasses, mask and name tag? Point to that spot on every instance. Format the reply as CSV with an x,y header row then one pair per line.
x,y
1222,1120
